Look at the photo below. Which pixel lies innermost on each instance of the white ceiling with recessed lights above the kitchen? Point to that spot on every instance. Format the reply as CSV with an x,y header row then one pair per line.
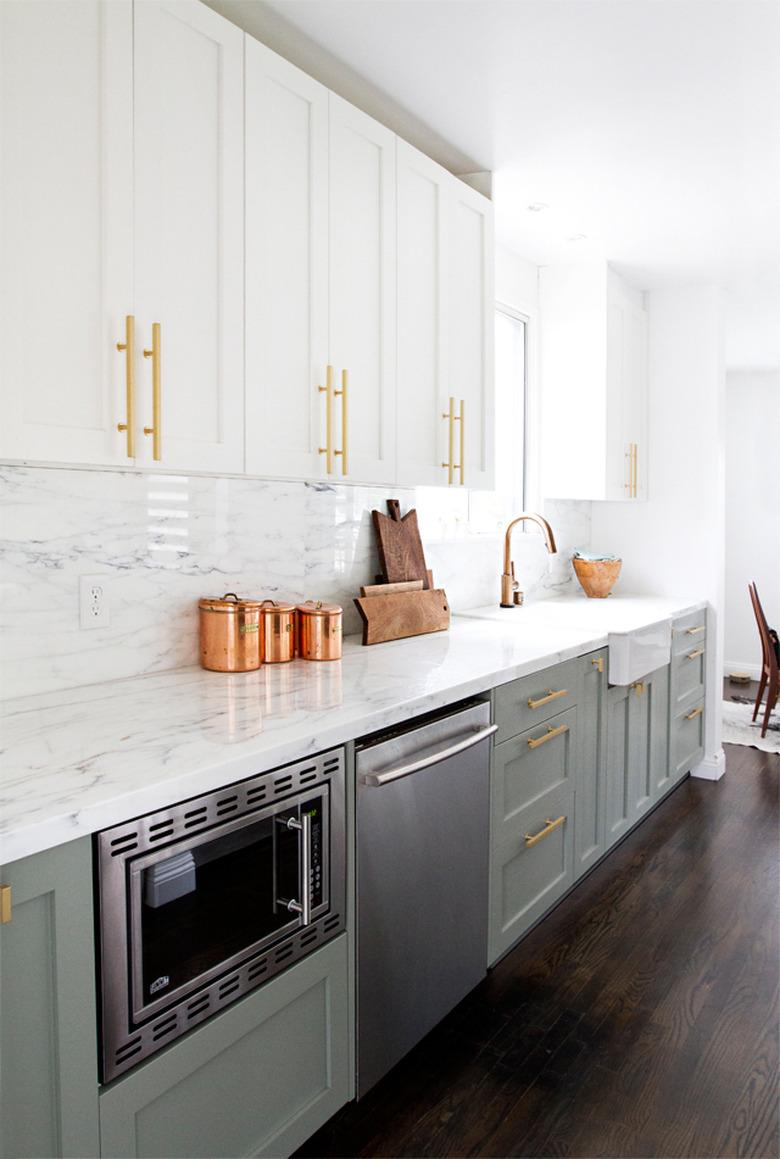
x,y
652,127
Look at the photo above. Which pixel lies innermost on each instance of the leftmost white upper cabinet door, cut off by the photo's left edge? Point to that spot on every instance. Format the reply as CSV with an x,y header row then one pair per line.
x,y
65,228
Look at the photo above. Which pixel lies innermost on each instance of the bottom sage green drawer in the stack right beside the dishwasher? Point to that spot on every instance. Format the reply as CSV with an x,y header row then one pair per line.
x,y
528,879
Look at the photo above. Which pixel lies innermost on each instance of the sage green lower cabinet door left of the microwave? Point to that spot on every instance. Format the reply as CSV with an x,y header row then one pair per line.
x,y
48,1031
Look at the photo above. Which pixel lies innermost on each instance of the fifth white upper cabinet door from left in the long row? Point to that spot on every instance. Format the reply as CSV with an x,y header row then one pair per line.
x,y
424,432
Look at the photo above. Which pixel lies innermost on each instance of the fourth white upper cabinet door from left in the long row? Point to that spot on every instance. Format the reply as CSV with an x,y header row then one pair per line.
x,y
362,296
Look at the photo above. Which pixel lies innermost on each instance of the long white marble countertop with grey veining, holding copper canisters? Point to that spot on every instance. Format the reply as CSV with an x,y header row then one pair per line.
x,y
76,762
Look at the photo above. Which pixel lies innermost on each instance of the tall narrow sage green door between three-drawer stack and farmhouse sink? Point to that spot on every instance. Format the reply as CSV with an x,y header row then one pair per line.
x,y
589,814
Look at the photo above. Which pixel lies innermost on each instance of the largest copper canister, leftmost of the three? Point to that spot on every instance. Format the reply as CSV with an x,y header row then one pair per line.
x,y
231,635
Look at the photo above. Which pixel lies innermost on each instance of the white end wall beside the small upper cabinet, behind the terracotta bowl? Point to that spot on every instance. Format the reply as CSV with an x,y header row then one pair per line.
x,y
674,544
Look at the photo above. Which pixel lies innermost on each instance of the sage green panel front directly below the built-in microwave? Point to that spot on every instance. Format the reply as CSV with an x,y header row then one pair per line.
x,y
258,1081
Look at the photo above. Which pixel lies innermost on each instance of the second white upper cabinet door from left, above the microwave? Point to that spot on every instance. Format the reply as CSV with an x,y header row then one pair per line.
x,y
189,236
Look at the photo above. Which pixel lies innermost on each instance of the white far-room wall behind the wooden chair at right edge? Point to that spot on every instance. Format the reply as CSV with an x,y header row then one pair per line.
x,y
753,512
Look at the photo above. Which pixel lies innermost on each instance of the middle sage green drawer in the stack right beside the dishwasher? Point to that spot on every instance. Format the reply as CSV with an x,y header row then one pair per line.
x,y
529,767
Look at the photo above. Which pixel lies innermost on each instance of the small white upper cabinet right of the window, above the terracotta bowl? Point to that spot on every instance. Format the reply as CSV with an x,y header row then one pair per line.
x,y
594,370
